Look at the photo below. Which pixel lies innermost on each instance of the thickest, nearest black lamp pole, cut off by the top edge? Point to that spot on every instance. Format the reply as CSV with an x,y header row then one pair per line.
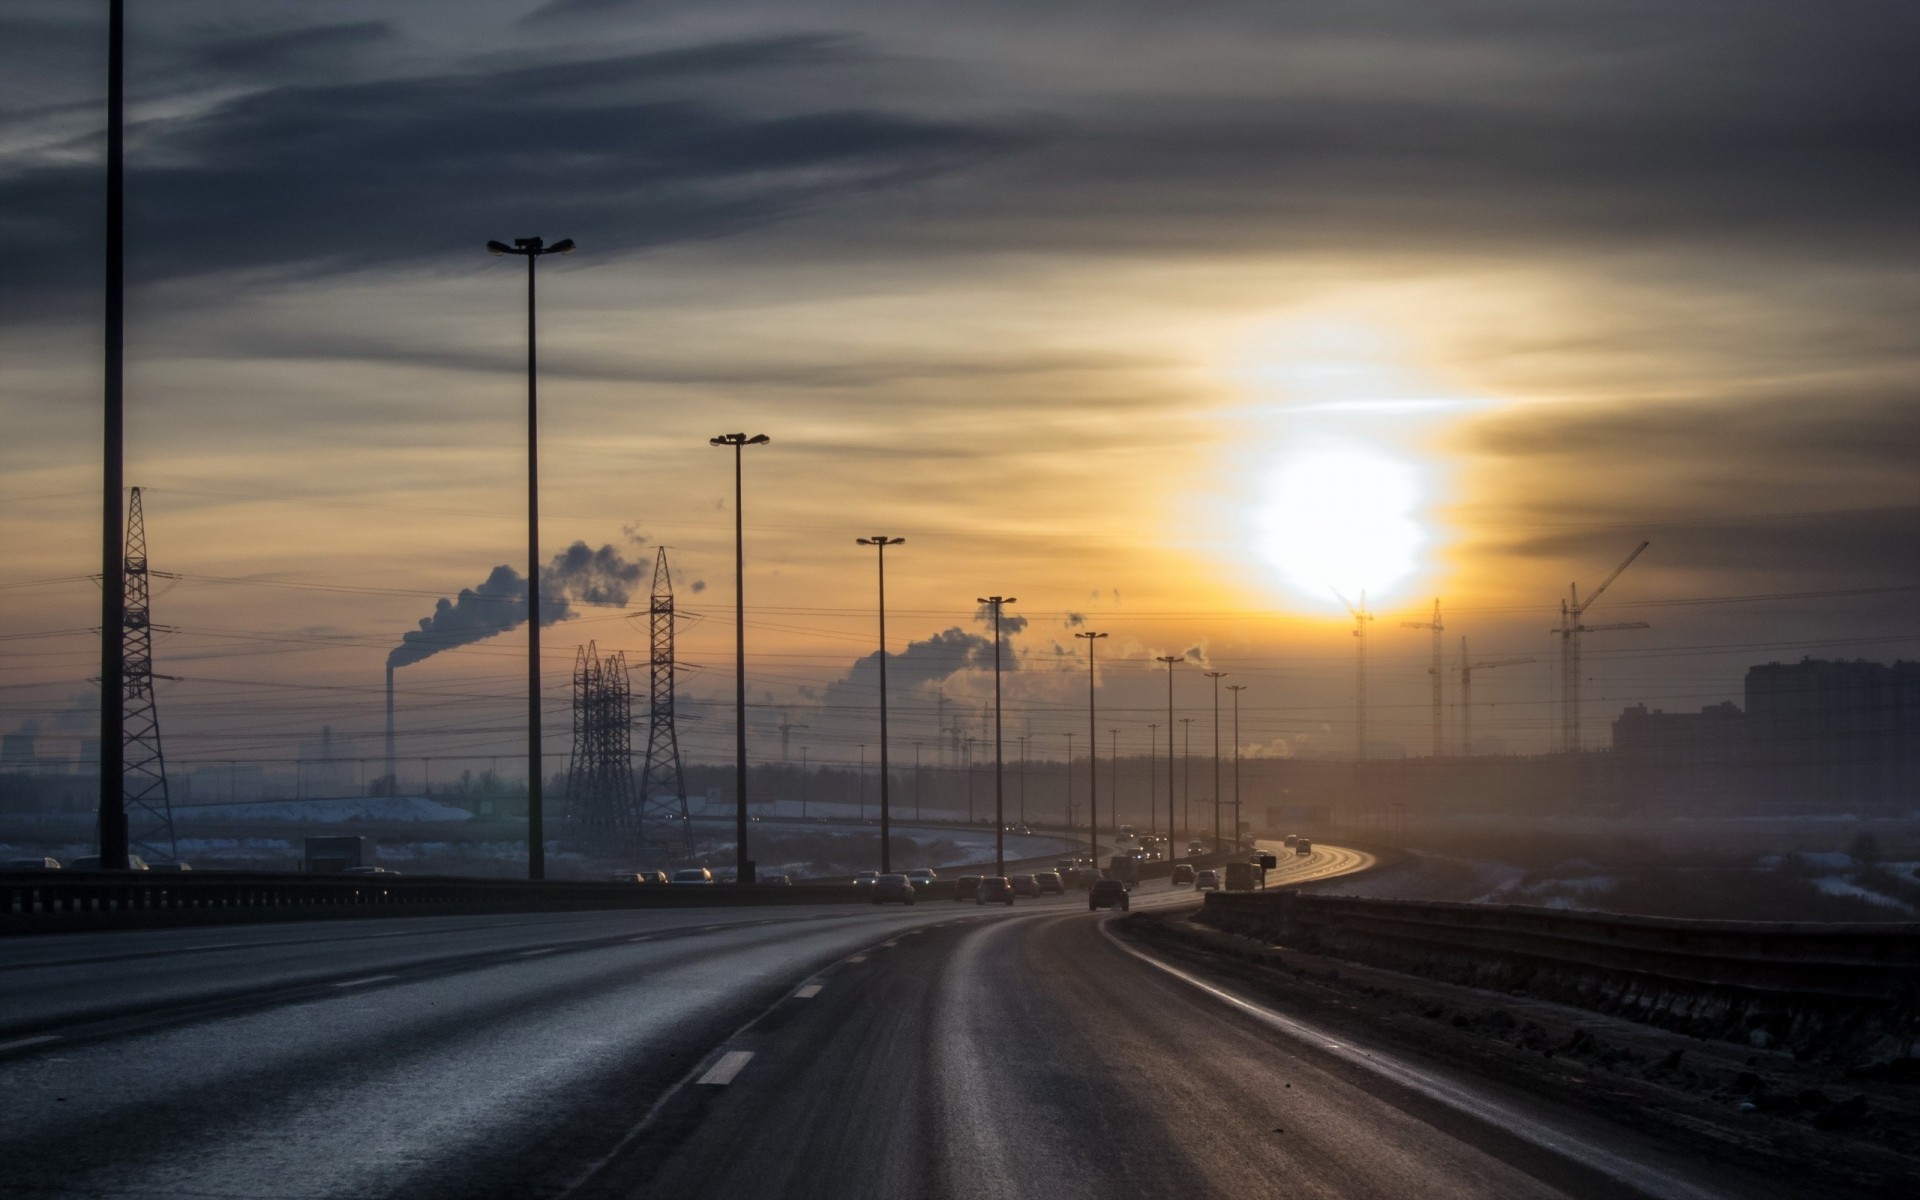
x,y
112,827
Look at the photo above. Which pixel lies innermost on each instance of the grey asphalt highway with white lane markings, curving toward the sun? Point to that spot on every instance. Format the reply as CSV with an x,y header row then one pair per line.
x,y
834,1051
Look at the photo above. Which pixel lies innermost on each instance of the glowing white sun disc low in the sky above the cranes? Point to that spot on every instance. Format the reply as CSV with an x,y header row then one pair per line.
x,y
1341,516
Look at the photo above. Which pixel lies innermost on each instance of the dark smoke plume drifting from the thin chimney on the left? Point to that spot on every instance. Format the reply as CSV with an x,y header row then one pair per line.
x,y
575,577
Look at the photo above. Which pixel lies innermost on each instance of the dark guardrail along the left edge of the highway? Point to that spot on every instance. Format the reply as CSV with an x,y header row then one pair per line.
x,y
62,901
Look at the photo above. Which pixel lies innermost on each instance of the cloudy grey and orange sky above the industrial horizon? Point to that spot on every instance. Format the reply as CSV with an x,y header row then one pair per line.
x,y
1166,320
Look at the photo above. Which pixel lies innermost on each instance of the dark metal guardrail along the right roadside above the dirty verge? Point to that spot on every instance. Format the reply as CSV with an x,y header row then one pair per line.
x,y
1760,982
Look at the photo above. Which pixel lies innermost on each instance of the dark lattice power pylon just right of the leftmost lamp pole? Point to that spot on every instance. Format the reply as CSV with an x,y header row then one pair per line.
x,y
149,805
